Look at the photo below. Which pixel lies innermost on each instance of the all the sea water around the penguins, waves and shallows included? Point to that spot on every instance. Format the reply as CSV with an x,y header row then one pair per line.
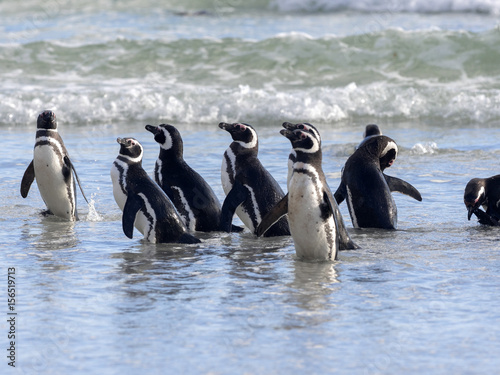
x,y
422,299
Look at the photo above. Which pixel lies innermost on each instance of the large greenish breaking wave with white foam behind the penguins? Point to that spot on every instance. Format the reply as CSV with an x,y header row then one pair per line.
x,y
449,77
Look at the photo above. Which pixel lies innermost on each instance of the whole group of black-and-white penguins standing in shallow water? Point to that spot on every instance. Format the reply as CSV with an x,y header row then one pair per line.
x,y
179,201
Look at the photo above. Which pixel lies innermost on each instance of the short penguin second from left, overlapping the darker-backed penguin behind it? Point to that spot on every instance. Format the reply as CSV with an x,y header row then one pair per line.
x,y
142,201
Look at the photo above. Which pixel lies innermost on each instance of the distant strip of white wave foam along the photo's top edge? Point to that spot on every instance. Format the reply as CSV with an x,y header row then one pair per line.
x,y
221,7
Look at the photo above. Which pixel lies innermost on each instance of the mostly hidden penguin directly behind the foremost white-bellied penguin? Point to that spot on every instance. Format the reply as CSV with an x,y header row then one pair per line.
x,y
346,242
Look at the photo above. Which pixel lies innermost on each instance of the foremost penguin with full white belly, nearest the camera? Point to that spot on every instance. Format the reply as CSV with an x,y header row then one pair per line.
x,y
309,203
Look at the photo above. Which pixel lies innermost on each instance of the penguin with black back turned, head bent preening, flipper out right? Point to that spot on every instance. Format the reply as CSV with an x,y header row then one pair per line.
x,y
367,189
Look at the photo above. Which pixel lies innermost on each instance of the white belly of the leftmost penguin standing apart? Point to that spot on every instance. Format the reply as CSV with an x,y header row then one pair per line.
x,y
59,197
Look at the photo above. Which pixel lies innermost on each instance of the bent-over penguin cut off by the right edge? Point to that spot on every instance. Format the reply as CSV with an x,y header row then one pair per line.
x,y
483,192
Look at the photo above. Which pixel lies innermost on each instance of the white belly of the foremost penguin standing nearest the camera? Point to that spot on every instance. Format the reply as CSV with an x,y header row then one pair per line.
x,y
314,238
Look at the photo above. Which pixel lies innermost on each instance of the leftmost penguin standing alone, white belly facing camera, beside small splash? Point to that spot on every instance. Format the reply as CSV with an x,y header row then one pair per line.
x,y
52,169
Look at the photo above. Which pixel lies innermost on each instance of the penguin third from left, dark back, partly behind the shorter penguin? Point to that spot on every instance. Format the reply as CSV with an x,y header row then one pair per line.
x,y
191,195
